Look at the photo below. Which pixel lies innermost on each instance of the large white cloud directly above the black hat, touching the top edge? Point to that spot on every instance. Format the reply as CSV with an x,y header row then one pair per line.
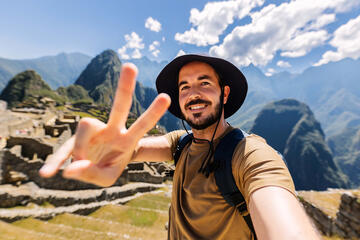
x,y
211,22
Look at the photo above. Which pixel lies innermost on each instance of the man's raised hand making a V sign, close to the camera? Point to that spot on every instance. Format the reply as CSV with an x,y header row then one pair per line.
x,y
101,151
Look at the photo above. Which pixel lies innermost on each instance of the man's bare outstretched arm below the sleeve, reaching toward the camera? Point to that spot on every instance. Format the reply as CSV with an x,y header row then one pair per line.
x,y
277,214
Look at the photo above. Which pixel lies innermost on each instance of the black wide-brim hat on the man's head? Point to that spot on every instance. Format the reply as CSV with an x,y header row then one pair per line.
x,y
167,81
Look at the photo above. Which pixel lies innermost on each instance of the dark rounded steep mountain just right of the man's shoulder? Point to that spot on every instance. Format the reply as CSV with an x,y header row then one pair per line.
x,y
290,127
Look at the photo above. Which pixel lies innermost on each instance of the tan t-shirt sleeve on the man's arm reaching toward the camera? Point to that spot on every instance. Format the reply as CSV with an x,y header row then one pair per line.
x,y
256,165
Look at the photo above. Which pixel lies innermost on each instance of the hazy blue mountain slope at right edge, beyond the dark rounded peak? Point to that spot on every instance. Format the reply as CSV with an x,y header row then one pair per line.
x,y
345,147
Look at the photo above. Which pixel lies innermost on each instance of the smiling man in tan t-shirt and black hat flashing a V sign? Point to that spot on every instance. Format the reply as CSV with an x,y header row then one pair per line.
x,y
203,91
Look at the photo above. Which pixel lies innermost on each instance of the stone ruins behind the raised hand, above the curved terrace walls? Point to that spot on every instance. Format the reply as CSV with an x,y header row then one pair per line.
x,y
23,156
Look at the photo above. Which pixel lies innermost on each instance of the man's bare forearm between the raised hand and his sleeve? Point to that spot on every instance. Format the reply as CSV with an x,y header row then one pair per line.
x,y
156,149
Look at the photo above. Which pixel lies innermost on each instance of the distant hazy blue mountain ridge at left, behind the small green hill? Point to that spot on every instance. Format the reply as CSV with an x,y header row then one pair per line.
x,y
60,70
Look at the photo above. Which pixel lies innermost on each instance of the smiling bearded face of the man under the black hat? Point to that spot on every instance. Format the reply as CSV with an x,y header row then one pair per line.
x,y
199,94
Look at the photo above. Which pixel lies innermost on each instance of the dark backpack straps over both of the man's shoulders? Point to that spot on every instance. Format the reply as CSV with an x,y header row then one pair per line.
x,y
223,175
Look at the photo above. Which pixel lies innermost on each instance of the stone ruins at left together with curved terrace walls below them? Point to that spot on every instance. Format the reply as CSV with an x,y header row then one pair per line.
x,y
26,144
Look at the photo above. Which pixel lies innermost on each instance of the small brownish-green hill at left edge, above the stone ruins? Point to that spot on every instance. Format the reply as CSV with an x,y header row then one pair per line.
x,y
26,86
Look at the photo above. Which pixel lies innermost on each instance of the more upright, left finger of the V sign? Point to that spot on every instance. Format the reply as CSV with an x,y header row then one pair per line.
x,y
123,96
